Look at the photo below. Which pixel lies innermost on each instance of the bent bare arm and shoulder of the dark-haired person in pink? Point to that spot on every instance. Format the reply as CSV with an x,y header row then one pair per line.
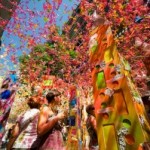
x,y
45,124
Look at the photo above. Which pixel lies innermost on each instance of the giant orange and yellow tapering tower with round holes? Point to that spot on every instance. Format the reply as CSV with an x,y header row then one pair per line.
x,y
122,123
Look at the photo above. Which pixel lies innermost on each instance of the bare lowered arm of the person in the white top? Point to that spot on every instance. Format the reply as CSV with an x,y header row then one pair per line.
x,y
13,137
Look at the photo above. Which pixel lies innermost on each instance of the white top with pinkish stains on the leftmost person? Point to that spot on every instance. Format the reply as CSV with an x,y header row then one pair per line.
x,y
28,124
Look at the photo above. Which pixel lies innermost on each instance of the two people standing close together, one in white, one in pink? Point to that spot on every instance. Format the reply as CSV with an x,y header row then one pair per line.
x,y
39,127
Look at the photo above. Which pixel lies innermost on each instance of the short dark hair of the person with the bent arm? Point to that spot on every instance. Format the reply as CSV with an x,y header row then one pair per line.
x,y
51,94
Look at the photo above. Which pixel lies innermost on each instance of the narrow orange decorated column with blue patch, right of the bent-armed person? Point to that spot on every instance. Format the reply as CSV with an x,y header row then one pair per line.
x,y
74,134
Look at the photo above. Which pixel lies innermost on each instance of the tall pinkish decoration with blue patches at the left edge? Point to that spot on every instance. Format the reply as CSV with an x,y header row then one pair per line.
x,y
7,96
